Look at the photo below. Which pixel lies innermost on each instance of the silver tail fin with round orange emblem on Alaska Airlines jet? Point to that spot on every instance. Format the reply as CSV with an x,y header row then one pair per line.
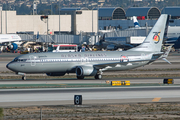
x,y
153,41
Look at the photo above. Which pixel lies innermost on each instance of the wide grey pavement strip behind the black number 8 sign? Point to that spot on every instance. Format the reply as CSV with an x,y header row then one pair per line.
x,y
91,95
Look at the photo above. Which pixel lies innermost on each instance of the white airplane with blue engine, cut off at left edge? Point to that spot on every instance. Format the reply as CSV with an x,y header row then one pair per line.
x,y
12,41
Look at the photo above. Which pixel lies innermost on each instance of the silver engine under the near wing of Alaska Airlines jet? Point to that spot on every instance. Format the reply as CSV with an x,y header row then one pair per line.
x,y
86,71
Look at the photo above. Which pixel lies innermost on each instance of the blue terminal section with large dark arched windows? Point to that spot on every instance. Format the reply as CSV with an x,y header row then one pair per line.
x,y
145,15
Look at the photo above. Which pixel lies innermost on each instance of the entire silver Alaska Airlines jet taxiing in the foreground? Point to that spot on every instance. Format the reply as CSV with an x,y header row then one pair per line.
x,y
93,63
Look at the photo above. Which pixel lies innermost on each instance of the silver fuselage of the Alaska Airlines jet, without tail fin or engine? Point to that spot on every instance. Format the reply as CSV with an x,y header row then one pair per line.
x,y
67,62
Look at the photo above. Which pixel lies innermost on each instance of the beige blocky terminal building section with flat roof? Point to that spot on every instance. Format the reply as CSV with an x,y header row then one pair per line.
x,y
72,22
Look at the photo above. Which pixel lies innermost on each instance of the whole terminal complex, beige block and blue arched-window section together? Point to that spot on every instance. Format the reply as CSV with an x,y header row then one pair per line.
x,y
76,21
